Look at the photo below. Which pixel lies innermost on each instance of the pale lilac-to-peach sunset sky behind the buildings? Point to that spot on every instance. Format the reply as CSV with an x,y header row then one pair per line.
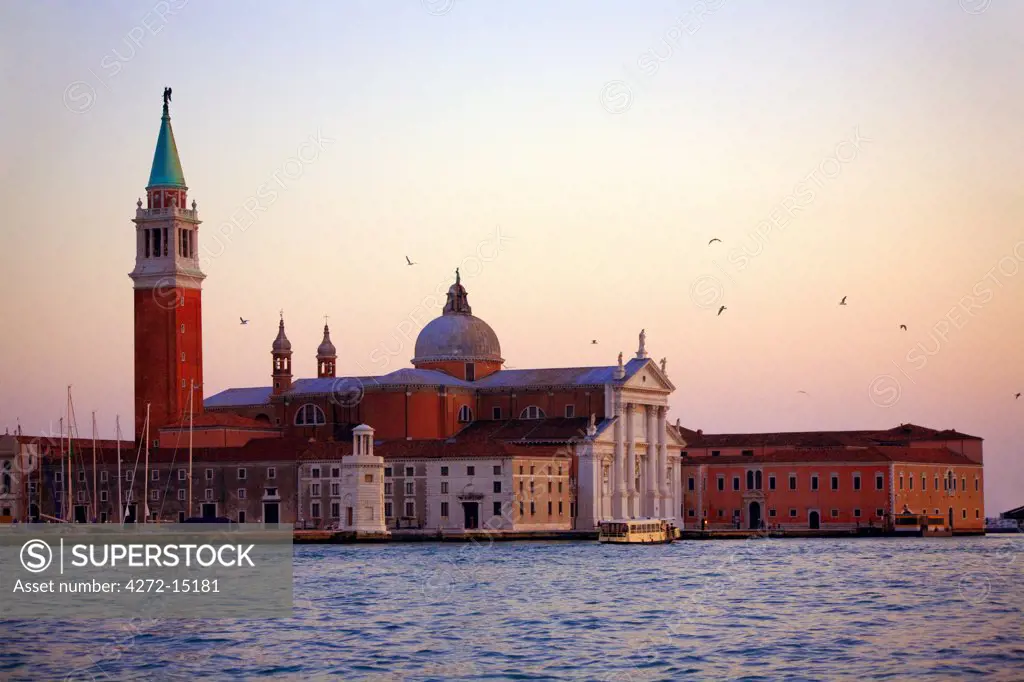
x,y
574,160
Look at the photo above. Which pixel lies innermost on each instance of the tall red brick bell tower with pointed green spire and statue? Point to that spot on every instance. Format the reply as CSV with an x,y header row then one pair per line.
x,y
167,292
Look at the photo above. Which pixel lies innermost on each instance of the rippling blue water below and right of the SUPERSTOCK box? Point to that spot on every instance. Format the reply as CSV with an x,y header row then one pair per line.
x,y
932,609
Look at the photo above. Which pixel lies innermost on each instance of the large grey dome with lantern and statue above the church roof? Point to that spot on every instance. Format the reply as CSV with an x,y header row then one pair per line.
x,y
457,335
